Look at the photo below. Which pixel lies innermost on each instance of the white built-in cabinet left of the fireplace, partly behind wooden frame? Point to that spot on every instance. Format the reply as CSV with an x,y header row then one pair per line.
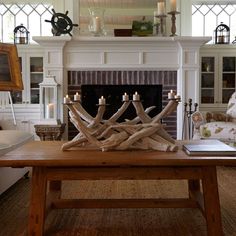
x,y
26,102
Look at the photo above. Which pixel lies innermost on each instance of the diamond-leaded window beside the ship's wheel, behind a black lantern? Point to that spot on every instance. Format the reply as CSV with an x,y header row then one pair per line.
x,y
32,16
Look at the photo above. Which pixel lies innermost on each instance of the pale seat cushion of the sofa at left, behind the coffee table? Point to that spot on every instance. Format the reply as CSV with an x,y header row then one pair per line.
x,y
11,139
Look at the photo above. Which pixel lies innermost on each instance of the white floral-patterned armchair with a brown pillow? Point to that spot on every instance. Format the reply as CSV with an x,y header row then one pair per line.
x,y
215,125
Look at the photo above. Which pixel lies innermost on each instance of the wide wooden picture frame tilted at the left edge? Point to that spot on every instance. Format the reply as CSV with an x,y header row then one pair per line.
x,y
10,72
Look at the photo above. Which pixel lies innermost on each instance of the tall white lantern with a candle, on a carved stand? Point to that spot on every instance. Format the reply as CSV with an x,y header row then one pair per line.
x,y
49,99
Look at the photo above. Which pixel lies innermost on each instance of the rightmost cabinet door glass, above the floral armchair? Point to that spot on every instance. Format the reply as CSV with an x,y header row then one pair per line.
x,y
228,78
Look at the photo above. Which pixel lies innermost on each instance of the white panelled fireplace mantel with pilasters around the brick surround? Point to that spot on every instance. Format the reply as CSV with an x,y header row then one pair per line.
x,y
181,54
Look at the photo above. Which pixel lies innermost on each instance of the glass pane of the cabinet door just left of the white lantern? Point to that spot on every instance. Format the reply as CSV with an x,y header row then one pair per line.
x,y
36,77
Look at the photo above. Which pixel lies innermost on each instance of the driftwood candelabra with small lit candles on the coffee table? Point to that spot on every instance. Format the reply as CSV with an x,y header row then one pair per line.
x,y
143,132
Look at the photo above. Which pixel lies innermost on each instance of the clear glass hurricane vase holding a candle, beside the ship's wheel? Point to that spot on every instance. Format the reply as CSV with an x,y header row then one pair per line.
x,y
96,22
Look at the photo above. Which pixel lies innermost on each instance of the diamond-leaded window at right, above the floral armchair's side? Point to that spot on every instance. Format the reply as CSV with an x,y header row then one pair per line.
x,y
206,17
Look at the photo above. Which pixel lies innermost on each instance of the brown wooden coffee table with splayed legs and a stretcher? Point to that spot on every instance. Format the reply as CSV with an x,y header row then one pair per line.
x,y
51,166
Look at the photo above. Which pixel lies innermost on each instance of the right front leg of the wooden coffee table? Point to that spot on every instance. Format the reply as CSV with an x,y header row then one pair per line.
x,y
211,201
